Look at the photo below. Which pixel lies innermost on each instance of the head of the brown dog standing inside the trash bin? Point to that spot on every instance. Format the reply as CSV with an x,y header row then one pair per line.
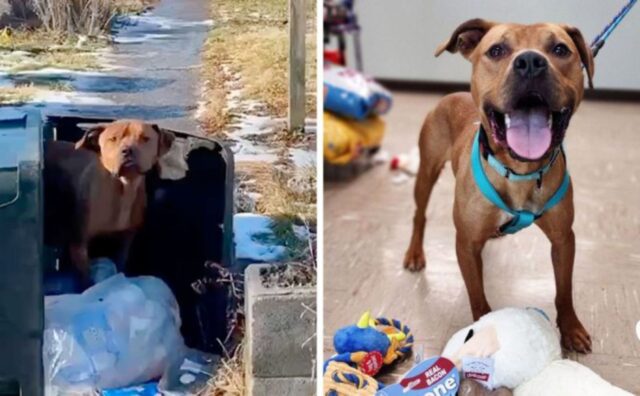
x,y
127,149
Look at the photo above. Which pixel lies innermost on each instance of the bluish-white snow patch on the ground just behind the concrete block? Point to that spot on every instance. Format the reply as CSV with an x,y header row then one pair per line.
x,y
250,232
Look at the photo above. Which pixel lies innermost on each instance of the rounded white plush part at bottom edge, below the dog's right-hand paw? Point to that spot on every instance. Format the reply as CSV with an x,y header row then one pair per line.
x,y
568,378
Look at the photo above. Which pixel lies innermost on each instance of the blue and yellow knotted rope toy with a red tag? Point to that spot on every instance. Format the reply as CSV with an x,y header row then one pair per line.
x,y
372,343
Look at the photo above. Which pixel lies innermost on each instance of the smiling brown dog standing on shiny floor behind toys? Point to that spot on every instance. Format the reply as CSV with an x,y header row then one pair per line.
x,y
527,81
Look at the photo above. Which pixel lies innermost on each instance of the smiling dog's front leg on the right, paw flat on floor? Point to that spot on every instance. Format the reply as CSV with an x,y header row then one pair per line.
x,y
557,226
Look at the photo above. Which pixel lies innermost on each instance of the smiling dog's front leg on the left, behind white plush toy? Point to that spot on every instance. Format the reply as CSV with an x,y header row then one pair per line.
x,y
469,253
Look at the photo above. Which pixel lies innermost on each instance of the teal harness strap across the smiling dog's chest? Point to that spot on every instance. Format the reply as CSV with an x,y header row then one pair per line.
x,y
520,218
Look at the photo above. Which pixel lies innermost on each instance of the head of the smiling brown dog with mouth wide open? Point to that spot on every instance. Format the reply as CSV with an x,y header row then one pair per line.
x,y
527,80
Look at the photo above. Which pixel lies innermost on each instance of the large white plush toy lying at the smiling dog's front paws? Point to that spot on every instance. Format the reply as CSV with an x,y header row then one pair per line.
x,y
525,348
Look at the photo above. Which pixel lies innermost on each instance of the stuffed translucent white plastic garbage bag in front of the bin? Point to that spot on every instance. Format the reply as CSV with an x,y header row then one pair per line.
x,y
120,332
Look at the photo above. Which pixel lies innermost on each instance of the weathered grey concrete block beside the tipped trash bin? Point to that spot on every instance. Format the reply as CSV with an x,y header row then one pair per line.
x,y
280,350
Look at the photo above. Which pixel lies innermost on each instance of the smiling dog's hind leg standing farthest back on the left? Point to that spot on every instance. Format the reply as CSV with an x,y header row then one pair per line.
x,y
434,145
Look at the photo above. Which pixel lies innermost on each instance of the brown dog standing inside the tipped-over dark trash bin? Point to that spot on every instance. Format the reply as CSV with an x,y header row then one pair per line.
x,y
96,186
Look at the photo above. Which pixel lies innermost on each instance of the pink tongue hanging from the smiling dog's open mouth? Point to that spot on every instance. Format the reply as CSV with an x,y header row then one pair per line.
x,y
528,134
